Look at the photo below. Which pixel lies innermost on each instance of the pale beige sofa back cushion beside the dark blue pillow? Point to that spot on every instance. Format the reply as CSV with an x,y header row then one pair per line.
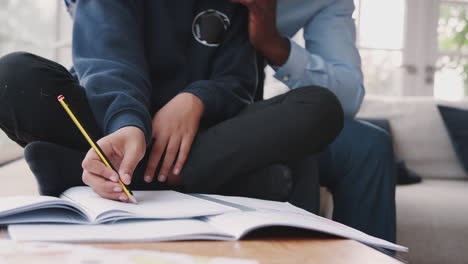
x,y
419,134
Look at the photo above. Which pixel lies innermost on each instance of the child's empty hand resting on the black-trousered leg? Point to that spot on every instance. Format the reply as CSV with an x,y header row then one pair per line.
x,y
174,128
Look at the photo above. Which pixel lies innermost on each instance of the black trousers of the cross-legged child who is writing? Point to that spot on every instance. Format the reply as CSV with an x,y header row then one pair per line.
x,y
284,129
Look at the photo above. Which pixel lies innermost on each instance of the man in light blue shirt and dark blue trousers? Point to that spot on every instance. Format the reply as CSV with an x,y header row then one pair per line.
x,y
358,168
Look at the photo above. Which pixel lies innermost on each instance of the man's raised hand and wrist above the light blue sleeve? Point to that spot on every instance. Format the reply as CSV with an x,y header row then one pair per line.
x,y
264,34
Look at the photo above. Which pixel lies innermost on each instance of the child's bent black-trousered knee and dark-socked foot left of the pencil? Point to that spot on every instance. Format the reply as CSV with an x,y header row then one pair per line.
x,y
29,112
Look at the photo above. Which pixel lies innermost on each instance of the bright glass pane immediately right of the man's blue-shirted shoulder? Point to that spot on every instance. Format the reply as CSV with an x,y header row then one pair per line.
x,y
380,38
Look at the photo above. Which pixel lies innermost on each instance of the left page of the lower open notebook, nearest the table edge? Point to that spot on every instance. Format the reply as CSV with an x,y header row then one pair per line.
x,y
128,231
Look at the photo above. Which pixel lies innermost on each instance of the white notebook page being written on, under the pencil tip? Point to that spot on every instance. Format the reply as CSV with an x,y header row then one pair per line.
x,y
151,204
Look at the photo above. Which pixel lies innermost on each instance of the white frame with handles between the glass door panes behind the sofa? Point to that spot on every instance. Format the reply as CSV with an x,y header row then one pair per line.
x,y
420,48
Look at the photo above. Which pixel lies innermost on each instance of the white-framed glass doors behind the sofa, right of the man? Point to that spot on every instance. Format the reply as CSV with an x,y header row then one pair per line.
x,y
414,47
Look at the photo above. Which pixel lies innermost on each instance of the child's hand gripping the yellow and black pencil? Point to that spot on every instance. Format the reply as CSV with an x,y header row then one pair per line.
x,y
124,148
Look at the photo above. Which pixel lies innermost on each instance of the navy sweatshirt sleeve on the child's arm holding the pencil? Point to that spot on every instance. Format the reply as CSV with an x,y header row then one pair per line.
x,y
108,56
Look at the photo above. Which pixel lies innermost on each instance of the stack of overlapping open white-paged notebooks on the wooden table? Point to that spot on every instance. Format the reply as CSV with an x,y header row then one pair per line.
x,y
160,216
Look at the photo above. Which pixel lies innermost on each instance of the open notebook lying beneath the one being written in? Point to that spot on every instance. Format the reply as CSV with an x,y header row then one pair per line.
x,y
245,215
